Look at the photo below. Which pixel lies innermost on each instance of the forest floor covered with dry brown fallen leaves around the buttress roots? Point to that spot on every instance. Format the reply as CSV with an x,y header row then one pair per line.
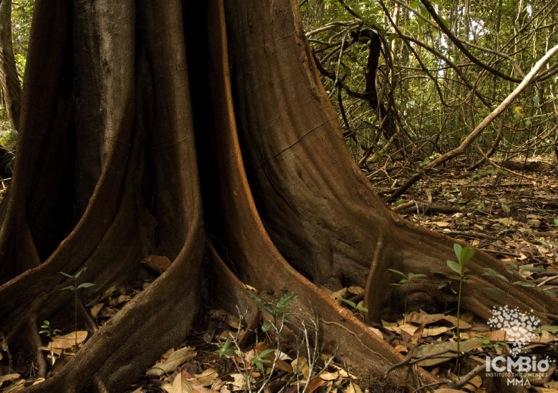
x,y
510,214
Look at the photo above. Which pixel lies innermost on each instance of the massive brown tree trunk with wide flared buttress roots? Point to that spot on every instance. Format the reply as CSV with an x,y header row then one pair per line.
x,y
107,174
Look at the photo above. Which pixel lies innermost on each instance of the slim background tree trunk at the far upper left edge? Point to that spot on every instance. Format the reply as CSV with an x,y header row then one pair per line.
x,y
9,80
